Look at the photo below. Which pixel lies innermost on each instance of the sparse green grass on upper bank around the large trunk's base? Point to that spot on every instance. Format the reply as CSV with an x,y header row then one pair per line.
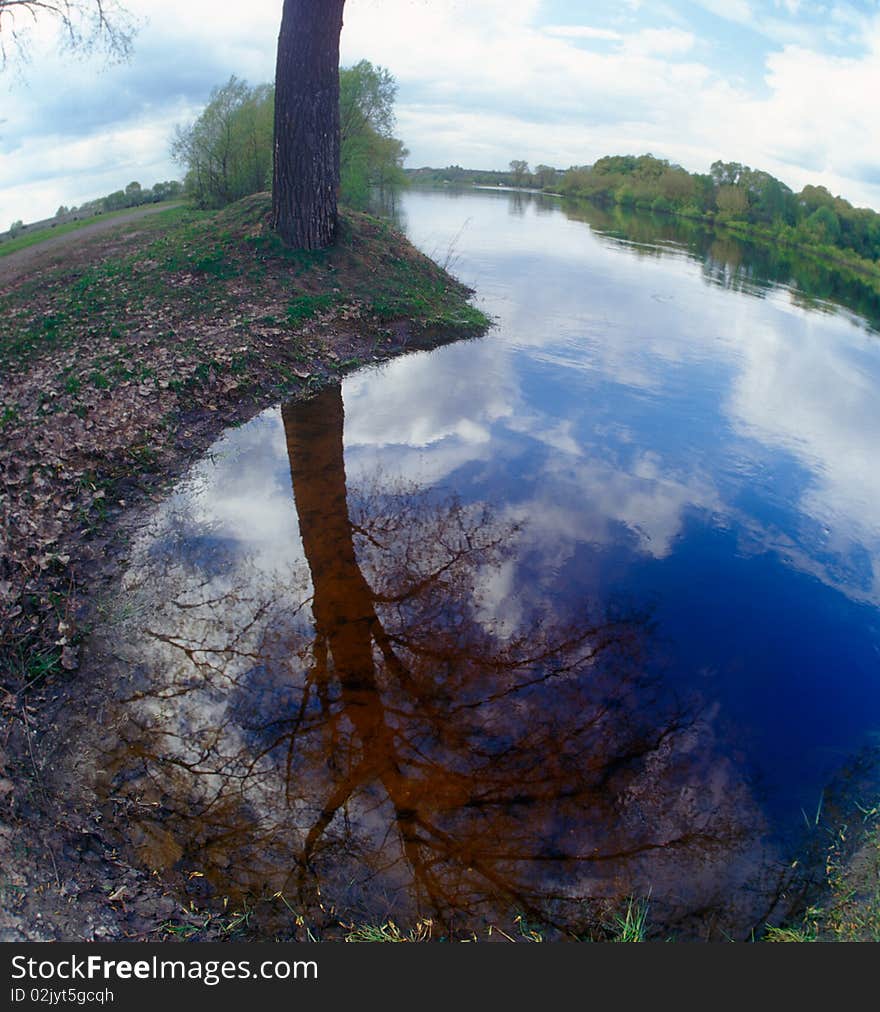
x,y
187,265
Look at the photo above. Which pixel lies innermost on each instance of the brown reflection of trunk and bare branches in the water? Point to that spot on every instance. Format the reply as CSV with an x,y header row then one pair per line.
x,y
414,750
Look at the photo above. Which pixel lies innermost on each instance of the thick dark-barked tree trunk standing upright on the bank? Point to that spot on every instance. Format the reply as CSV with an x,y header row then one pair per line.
x,y
306,179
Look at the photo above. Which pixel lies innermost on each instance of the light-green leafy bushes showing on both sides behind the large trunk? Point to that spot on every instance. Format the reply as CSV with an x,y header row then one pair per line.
x,y
227,152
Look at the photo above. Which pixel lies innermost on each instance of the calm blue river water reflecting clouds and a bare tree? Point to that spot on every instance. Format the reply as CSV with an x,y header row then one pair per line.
x,y
584,610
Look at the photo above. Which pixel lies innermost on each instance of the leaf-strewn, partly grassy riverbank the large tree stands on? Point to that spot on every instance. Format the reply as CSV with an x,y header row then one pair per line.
x,y
123,358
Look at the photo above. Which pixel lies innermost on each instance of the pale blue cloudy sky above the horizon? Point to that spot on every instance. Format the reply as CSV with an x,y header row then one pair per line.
x,y
786,87
